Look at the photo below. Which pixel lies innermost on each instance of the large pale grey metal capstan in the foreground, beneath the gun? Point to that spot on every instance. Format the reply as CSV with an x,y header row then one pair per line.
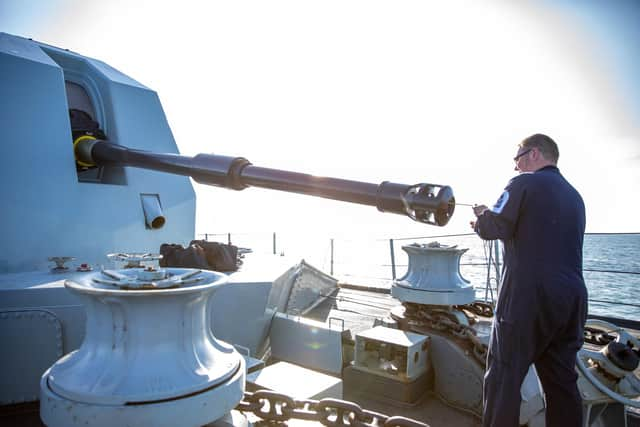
x,y
146,346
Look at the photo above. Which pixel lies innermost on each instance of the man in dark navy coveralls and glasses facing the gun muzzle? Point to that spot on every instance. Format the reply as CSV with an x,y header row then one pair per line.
x,y
542,305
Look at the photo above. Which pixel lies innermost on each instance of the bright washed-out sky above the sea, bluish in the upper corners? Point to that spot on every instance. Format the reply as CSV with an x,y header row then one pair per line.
x,y
372,91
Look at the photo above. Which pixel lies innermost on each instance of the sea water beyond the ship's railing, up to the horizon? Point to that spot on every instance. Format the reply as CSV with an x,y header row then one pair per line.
x,y
611,262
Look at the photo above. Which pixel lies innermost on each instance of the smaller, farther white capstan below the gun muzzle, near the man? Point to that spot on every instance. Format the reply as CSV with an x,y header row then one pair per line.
x,y
433,276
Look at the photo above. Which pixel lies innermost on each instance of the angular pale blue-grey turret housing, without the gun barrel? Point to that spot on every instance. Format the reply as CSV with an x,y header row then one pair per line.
x,y
84,220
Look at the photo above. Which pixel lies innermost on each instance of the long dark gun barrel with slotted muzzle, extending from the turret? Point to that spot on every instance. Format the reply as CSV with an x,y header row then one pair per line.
x,y
426,203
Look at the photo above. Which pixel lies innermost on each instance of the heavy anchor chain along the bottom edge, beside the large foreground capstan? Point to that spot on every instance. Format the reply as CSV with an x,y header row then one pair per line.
x,y
277,407
